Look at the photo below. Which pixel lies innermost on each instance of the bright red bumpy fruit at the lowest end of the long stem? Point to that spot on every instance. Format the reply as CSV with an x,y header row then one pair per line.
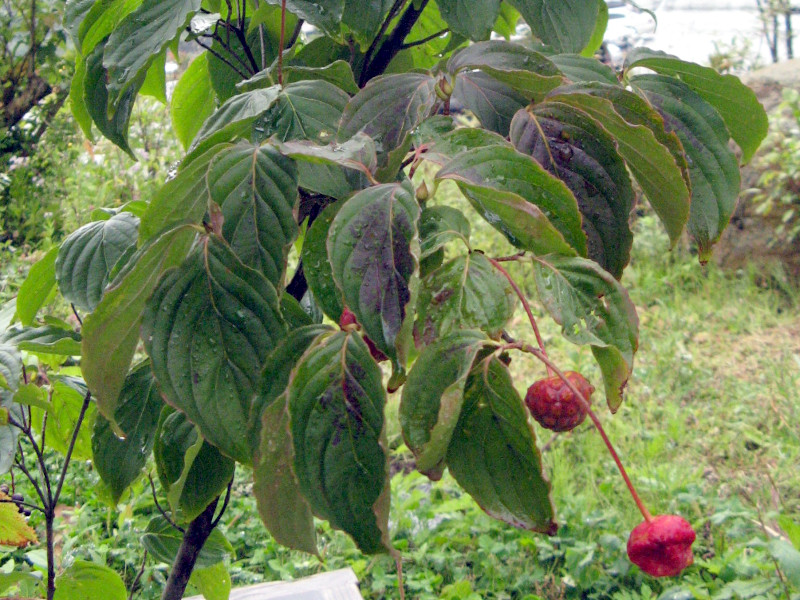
x,y
662,547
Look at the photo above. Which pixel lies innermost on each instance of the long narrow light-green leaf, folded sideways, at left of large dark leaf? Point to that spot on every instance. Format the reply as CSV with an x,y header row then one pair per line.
x,y
111,332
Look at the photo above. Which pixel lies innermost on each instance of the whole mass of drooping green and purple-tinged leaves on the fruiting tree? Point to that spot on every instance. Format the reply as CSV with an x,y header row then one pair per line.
x,y
311,142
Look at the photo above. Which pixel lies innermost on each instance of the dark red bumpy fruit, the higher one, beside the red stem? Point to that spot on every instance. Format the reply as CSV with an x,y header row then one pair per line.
x,y
553,404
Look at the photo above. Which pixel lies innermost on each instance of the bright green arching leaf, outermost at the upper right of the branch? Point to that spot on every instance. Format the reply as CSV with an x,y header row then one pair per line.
x,y
736,103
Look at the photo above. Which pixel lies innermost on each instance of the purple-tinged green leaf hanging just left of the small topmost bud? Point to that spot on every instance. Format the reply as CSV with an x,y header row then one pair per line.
x,y
387,109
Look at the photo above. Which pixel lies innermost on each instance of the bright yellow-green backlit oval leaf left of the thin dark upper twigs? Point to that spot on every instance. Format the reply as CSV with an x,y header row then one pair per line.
x,y
192,100
